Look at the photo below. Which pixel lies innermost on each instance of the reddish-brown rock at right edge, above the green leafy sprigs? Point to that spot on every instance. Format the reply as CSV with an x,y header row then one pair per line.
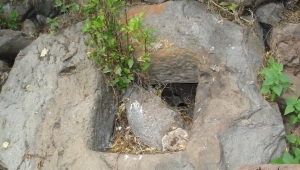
x,y
285,42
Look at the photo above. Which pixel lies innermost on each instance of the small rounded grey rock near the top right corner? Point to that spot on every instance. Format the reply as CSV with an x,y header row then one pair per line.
x,y
270,13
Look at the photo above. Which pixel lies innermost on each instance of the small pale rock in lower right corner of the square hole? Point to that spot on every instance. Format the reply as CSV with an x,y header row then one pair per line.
x,y
175,140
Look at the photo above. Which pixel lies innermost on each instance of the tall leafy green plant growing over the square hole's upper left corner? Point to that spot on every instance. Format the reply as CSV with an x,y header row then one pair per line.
x,y
111,41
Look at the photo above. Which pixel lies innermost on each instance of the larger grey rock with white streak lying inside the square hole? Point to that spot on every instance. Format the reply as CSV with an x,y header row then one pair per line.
x,y
148,117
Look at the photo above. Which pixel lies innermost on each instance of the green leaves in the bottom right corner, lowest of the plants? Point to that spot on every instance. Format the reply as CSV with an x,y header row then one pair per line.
x,y
288,158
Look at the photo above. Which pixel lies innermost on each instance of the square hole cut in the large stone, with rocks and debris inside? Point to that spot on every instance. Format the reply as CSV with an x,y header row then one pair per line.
x,y
178,97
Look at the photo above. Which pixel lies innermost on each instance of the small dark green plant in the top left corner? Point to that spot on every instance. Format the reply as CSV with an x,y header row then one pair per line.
x,y
10,21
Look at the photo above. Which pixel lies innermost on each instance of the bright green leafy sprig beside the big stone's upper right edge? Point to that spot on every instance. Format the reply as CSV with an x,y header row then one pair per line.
x,y
274,80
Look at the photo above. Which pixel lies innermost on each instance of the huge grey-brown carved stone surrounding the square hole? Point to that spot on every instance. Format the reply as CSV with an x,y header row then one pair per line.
x,y
54,118
